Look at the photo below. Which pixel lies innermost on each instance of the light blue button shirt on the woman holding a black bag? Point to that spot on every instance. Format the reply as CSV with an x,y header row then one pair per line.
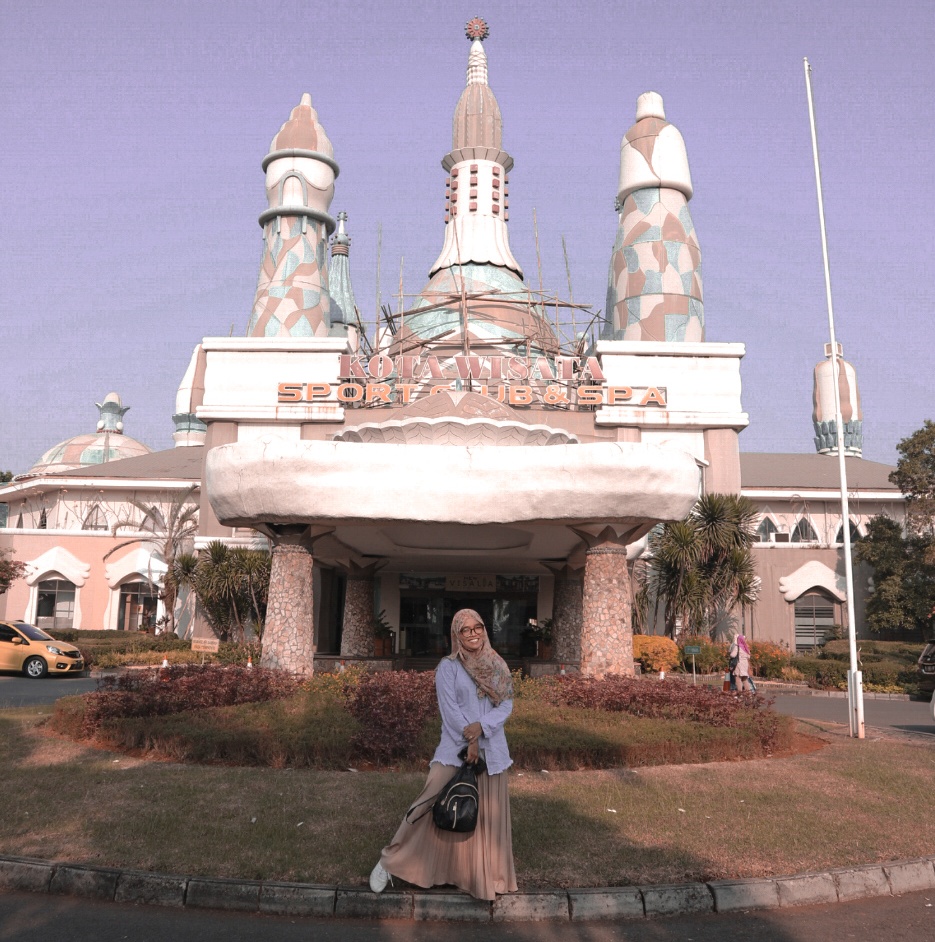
x,y
460,706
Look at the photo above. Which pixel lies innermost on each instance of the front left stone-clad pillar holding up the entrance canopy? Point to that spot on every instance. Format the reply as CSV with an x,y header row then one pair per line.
x,y
289,633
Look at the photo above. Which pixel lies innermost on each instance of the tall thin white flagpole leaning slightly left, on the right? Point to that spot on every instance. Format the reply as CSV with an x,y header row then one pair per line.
x,y
855,696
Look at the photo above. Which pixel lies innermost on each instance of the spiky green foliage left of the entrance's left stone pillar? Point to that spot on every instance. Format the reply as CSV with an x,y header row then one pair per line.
x,y
231,585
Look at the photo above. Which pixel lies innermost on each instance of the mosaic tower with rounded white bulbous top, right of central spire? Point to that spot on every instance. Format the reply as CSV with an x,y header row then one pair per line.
x,y
654,286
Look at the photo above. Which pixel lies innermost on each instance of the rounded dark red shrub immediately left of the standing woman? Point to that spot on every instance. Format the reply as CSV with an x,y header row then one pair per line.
x,y
392,708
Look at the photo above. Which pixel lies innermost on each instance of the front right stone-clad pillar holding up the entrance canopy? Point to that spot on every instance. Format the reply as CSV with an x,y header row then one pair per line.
x,y
606,633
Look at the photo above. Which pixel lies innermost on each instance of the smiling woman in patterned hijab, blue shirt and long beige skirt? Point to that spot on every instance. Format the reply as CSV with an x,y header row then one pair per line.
x,y
475,698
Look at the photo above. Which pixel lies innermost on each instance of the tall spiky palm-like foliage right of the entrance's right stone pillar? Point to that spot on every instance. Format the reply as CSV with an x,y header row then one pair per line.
x,y
701,569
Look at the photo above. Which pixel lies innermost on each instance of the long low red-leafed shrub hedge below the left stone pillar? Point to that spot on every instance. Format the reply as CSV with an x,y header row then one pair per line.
x,y
180,688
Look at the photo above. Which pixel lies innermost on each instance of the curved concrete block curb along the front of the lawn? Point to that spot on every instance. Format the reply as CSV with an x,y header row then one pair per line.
x,y
626,902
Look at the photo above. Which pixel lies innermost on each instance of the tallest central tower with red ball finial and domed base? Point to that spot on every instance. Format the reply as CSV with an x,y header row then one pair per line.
x,y
476,267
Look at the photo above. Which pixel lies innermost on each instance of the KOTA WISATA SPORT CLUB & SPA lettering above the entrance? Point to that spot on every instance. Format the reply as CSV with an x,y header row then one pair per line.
x,y
562,382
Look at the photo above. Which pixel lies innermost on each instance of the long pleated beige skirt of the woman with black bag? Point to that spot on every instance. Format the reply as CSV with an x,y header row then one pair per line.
x,y
480,863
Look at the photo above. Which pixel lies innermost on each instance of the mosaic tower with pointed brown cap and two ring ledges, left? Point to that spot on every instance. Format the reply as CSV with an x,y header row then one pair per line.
x,y
292,298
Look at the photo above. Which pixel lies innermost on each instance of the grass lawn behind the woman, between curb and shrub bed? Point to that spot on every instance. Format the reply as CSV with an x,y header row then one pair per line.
x,y
851,802
